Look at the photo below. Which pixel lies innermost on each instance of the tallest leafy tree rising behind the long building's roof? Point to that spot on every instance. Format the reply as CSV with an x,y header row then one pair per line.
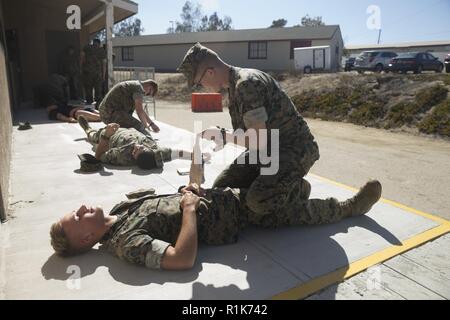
x,y
192,20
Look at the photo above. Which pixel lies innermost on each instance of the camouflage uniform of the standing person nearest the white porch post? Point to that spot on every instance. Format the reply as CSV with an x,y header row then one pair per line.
x,y
93,72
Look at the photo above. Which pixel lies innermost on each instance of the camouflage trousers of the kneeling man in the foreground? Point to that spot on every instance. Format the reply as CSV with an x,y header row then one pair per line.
x,y
277,200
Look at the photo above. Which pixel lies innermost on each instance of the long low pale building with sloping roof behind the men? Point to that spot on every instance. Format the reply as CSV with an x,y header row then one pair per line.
x,y
270,49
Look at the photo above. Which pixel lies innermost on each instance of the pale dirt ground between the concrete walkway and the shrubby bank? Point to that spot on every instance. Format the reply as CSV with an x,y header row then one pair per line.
x,y
414,170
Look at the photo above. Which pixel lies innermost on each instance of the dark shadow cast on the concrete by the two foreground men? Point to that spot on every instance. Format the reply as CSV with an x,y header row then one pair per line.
x,y
317,254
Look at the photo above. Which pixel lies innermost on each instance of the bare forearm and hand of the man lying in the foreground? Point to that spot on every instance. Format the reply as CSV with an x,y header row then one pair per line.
x,y
183,255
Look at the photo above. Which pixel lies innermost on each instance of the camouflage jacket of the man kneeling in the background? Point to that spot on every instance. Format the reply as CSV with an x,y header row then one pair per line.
x,y
121,97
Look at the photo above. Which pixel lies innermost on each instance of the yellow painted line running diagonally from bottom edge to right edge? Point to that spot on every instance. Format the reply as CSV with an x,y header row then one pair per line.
x,y
356,267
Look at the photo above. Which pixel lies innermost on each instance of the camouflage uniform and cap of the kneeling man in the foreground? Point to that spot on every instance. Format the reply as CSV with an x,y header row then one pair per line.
x,y
256,97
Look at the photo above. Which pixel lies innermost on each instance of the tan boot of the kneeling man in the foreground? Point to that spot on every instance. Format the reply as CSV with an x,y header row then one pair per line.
x,y
363,201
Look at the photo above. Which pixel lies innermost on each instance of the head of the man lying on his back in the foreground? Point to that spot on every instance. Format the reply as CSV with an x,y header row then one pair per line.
x,y
78,231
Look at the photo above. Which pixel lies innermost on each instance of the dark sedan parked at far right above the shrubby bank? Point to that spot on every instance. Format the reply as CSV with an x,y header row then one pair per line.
x,y
416,62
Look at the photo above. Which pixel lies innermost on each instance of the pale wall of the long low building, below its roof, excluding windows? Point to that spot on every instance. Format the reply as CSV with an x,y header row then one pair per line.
x,y
168,57
